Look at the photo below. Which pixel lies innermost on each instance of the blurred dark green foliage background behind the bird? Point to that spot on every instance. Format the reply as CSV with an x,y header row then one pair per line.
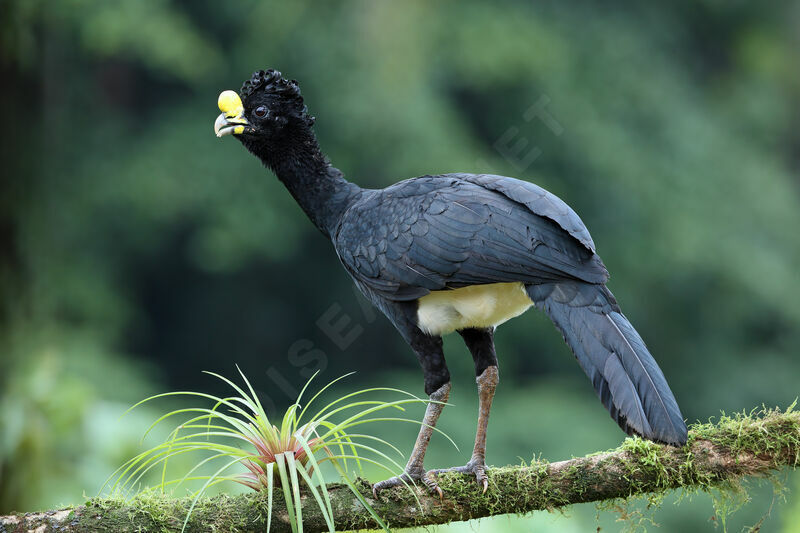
x,y
138,249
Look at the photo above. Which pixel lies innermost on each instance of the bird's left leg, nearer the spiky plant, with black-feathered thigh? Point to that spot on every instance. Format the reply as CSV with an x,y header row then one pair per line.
x,y
437,384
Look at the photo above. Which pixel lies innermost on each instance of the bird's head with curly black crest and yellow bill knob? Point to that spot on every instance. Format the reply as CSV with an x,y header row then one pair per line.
x,y
267,110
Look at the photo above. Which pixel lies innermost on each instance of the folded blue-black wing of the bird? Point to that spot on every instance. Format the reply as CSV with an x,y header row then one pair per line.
x,y
438,232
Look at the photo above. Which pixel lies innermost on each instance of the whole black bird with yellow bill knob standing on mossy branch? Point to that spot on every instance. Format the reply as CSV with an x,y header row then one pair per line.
x,y
464,253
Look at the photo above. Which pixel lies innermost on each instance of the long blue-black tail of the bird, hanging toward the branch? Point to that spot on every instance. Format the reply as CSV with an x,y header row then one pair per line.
x,y
626,377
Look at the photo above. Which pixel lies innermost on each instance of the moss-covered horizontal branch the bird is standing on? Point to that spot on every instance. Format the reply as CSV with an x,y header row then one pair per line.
x,y
716,455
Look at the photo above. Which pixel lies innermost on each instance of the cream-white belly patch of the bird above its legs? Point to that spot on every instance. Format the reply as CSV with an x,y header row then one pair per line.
x,y
477,306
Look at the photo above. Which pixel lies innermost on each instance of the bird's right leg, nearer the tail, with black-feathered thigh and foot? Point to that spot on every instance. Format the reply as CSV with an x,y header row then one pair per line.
x,y
481,345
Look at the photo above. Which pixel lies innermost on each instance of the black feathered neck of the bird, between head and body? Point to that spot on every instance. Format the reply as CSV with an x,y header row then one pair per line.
x,y
319,188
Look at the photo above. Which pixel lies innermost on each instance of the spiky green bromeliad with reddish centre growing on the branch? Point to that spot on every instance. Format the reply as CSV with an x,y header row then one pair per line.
x,y
275,456
